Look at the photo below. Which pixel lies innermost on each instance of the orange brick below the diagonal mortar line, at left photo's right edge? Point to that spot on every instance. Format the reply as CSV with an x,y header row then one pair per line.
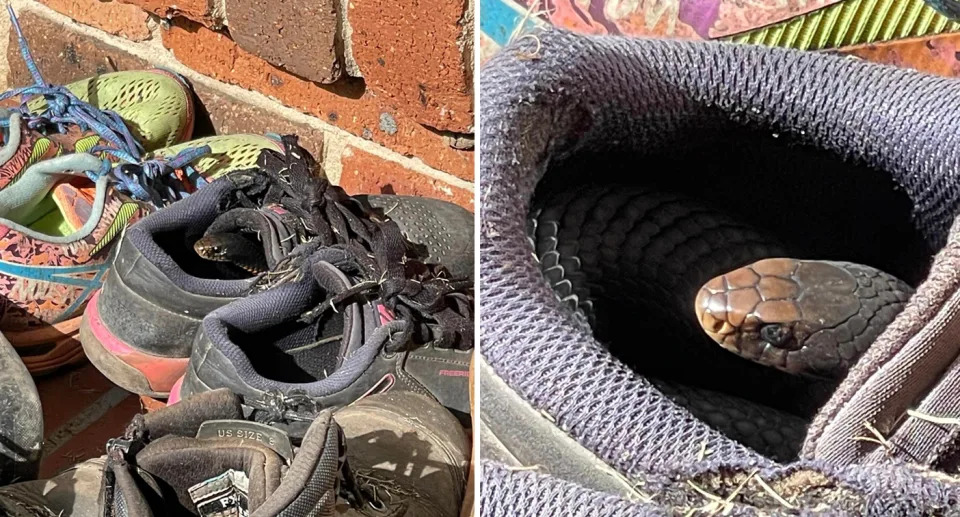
x,y
364,173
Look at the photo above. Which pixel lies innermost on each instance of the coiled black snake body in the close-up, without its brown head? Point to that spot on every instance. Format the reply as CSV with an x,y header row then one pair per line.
x,y
629,261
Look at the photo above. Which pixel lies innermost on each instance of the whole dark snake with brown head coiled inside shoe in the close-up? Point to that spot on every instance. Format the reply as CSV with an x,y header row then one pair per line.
x,y
747,333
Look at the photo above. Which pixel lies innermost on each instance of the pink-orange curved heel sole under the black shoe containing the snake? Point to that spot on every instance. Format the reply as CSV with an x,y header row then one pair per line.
x,y
125,366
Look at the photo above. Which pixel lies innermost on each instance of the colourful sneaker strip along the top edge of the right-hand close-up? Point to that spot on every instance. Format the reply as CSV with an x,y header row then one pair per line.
x,y
906,33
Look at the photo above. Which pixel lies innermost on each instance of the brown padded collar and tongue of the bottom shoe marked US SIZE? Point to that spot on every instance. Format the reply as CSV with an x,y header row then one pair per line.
x,y
235,463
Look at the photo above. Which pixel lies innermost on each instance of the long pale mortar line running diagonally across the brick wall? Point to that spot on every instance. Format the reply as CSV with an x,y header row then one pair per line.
x,y
155,53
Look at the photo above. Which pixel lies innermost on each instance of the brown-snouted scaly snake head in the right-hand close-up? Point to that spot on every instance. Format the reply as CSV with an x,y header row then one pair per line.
x,y
790,314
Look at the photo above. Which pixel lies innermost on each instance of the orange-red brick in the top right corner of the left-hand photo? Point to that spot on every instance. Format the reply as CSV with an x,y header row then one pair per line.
x,y
415,53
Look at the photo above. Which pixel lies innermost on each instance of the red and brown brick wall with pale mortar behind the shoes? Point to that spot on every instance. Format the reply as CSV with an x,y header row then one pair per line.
x,y
384,88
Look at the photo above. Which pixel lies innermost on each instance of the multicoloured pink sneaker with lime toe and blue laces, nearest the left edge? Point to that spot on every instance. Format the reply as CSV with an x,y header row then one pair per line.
x,y
57,236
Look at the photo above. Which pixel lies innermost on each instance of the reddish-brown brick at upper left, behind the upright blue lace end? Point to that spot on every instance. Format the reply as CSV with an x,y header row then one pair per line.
x,y
62,55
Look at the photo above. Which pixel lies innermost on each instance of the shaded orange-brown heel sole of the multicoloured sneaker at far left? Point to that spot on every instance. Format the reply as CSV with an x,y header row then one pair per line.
x,y
59,343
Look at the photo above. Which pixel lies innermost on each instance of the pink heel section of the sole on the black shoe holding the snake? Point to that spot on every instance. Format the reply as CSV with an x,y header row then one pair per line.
x,y
160,372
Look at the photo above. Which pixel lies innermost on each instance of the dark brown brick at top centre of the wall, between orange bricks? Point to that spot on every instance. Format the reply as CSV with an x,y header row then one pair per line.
x,y
297,35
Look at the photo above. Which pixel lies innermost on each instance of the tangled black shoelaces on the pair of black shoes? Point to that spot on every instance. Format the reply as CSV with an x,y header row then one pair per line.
x,y
389,268
